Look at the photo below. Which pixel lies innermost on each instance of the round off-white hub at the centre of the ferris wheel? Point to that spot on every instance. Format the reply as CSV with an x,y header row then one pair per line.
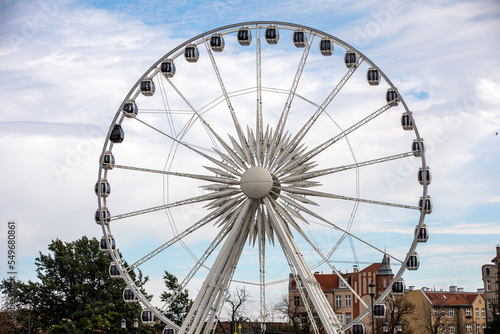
x,y
256,182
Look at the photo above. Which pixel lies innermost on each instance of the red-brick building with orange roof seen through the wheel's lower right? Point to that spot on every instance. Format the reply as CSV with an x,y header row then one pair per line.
x,y
343,301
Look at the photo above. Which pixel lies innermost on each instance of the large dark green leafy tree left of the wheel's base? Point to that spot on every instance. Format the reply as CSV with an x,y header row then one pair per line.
x,y
74,293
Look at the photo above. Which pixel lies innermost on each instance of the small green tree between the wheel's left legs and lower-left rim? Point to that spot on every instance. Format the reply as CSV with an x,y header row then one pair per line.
x,y
179,307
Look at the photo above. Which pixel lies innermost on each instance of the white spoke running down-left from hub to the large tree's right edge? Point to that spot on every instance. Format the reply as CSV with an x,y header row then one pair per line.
x,y
219,213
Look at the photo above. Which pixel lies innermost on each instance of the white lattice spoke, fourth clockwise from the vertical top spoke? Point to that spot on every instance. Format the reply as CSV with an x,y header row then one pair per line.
x,y
300,175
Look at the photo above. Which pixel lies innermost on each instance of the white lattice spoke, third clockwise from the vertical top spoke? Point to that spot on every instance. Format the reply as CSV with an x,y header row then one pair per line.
x,y
289,168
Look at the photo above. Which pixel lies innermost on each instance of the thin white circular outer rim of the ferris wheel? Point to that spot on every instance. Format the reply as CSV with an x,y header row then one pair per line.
x,y
174,53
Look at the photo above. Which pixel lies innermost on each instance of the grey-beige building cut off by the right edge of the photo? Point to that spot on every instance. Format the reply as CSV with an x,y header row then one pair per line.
x,y
491,278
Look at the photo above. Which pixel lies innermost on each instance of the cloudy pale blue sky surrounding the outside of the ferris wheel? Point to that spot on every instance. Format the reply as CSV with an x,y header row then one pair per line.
x,y
66,66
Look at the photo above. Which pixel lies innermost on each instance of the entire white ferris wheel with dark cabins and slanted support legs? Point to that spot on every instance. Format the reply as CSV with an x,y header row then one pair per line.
x,y
256,150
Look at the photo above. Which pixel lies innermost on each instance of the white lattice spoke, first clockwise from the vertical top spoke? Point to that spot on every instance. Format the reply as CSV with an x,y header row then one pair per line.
x,y
286,109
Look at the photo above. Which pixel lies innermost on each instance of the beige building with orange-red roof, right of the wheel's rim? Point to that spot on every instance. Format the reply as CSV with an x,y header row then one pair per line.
x,y
449,312
